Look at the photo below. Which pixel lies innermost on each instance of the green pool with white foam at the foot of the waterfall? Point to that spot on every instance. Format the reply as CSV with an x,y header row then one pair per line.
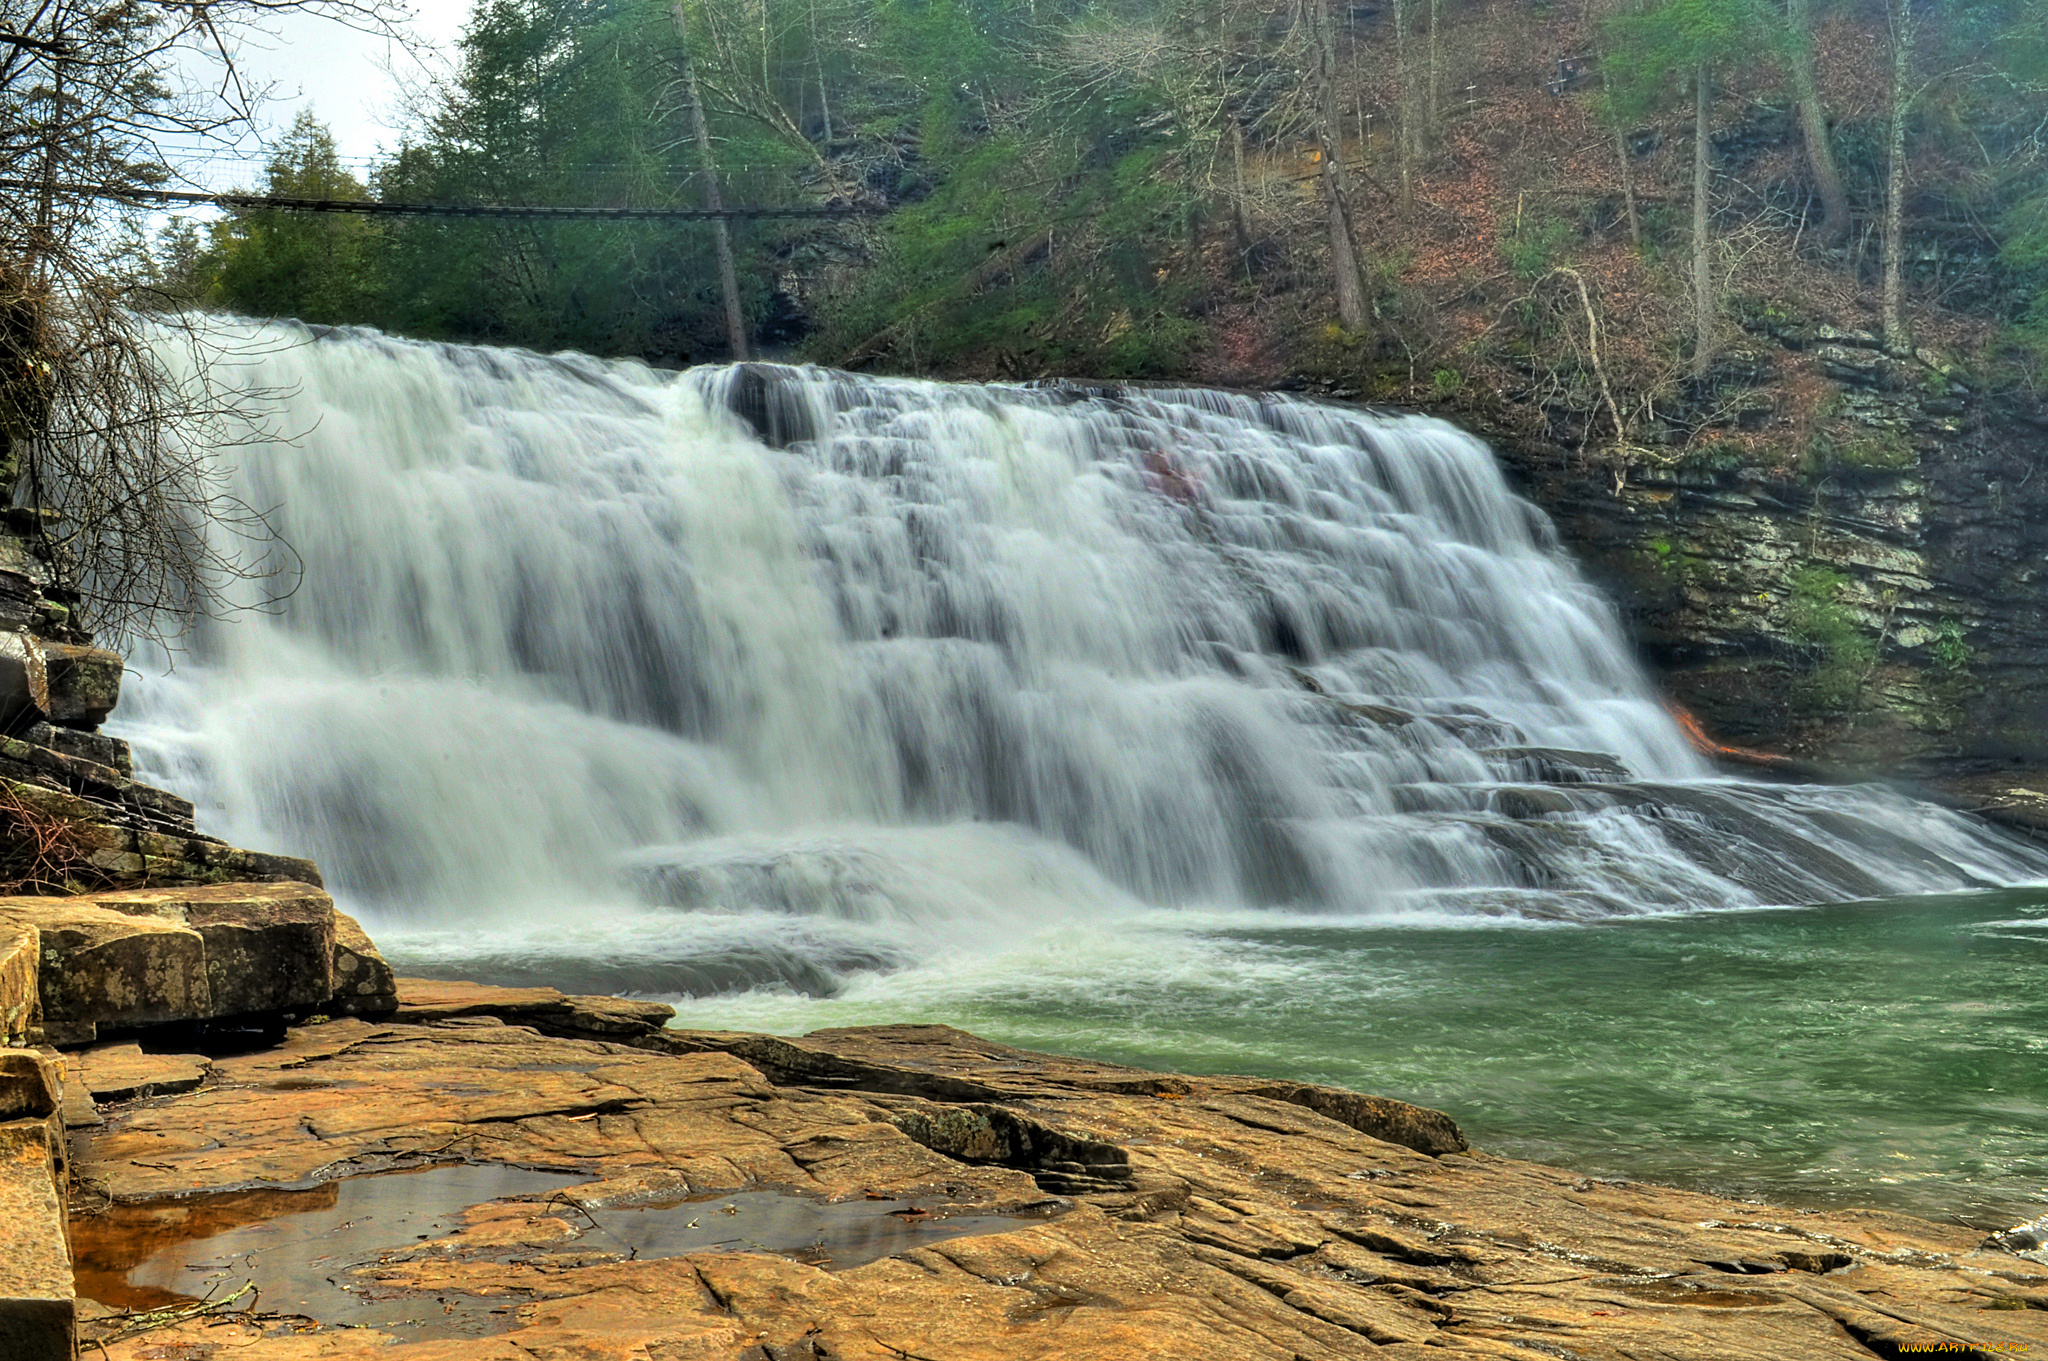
x,y
1857,1055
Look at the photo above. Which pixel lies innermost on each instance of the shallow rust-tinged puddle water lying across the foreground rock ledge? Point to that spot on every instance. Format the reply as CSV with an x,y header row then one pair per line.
x,y
341,1252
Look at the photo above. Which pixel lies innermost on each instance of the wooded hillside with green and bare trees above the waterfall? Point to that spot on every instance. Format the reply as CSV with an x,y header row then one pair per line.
x,y
1547,216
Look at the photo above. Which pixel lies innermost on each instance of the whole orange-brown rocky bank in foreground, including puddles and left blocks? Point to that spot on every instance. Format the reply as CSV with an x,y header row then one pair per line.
x,y
468,1172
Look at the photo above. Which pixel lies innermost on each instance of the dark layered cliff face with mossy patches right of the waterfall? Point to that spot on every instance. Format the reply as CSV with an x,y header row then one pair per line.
x,y
1852,576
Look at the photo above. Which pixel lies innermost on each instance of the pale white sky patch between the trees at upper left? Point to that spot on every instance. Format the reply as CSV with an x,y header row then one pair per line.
x,y
351,81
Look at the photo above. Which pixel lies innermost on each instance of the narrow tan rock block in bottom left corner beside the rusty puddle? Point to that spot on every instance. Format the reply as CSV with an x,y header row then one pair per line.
x,y
38,1309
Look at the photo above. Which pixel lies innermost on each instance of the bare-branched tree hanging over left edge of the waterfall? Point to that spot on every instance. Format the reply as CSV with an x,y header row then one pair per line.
x,y
105,439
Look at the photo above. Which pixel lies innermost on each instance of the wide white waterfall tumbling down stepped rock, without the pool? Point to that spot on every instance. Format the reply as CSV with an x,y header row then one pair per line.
x,y
816,670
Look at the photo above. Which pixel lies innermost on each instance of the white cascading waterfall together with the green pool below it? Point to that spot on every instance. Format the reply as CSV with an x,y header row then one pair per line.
x,y
1177,728
